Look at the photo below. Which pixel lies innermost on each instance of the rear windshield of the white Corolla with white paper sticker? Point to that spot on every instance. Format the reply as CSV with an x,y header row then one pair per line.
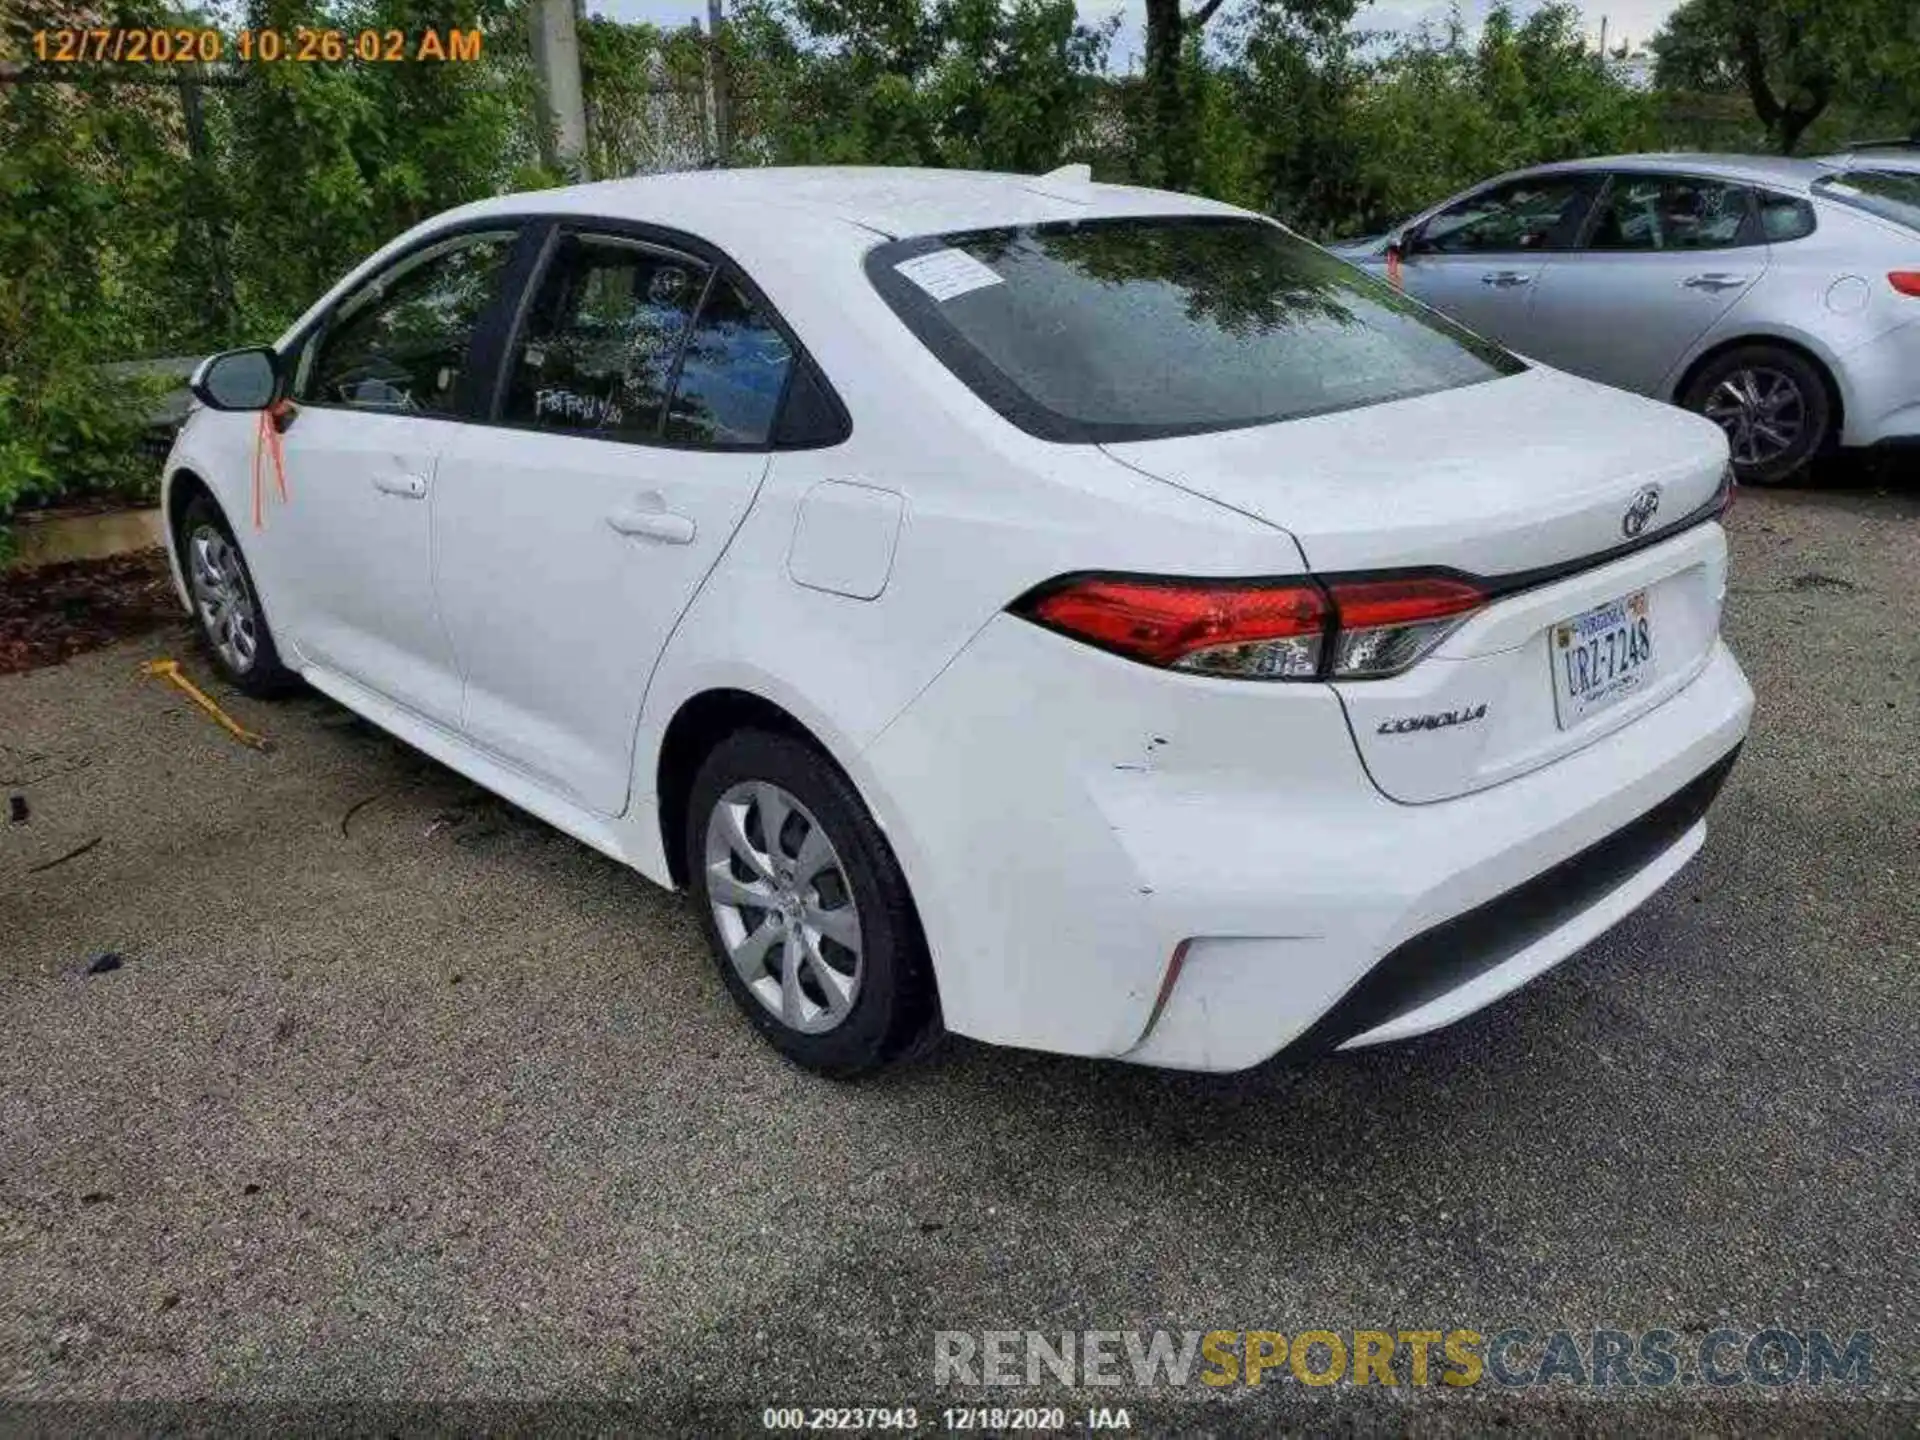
x,y
1134,329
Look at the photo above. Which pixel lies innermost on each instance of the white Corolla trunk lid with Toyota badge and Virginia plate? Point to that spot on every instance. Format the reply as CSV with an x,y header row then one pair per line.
x,y
1502,481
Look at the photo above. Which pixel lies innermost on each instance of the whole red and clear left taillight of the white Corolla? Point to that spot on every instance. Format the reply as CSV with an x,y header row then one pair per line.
x,y
1353,629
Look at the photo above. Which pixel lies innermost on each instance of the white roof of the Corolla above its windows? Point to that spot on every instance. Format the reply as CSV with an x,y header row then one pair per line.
x,y
894,203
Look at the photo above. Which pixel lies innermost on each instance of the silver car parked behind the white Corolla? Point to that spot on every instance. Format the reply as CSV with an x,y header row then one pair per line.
x,y
1777,297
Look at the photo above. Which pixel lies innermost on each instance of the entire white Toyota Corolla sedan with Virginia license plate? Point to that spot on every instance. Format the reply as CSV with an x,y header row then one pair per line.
x,y
1080,617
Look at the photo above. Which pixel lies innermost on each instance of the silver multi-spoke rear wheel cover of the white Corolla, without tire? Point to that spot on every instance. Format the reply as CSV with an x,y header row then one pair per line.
x,y
782,905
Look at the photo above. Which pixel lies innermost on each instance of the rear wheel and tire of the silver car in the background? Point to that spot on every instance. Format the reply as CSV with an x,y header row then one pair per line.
x,y
1775,408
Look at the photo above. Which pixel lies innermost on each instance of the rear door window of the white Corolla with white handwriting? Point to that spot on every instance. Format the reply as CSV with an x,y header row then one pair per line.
x,y
602,343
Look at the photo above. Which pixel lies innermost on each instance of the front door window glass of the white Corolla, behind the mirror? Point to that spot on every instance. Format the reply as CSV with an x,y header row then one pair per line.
x,y
402,343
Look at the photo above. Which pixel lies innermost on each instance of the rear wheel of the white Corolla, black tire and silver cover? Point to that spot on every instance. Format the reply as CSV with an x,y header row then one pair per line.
x,y
834,969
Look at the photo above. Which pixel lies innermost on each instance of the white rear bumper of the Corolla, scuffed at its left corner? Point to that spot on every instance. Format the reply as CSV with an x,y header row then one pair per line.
x,y
1068,821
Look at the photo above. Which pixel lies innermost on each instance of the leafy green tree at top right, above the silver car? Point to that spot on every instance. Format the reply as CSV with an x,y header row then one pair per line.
x,y
1792,59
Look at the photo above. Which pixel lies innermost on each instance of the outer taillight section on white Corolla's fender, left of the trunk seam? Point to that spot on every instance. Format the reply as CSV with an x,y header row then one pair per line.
x,y
1232,629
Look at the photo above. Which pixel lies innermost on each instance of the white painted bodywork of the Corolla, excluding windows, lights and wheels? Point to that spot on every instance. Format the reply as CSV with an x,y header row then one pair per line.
x,y
1067,819
